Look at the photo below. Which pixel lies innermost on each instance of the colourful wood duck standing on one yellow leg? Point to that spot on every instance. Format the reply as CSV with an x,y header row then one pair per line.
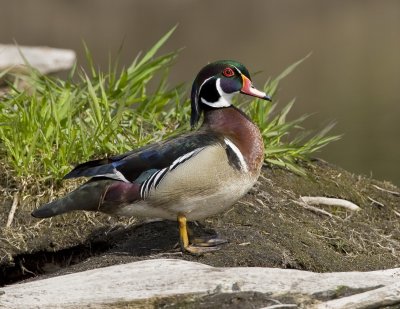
x,y
189,177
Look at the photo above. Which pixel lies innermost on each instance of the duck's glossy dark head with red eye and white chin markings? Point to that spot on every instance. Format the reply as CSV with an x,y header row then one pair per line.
x,y
217,83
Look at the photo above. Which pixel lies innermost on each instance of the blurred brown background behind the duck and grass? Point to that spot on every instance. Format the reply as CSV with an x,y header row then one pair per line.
x,y
352,77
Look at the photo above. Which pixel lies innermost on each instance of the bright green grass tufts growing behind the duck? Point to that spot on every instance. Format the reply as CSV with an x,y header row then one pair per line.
x,y
57,123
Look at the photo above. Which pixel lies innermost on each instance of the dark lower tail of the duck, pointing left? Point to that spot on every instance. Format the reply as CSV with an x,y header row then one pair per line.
x,y
87,197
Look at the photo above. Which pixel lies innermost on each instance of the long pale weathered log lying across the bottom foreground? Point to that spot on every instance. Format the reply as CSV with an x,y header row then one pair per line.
x,y
168,277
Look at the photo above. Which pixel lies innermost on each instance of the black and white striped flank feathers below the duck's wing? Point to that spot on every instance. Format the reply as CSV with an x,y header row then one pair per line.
x,y
154,180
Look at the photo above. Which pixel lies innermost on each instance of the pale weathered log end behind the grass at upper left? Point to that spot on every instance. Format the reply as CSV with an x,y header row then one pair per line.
x,y
44,59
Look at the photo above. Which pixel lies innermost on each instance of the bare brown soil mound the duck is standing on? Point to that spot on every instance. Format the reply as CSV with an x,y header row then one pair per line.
x,y
265,228
